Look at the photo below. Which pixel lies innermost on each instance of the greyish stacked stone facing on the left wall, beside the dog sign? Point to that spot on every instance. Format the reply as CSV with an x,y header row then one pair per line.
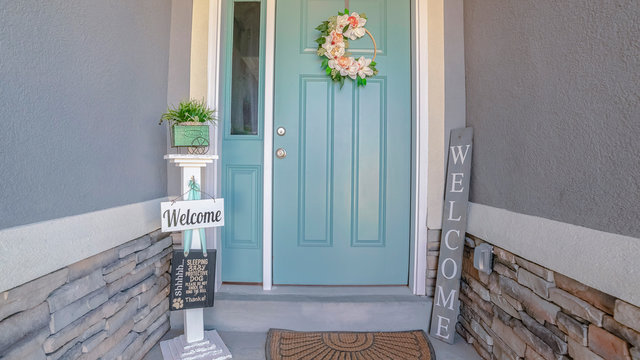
x,y
113,305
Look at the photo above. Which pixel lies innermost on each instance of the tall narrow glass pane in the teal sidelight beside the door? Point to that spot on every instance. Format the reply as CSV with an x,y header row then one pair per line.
x,y
246,68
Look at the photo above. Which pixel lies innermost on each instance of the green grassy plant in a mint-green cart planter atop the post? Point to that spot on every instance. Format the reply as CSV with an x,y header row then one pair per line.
x,y
189,124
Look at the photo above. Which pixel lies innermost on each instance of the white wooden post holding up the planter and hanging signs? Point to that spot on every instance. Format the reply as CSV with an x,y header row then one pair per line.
x,y
191,166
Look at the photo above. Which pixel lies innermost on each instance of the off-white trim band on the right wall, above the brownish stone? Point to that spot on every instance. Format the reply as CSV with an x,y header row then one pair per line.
x,y
605,261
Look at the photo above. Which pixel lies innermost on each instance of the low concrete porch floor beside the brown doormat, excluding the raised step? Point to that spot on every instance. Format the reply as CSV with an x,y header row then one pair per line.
x,y
250,346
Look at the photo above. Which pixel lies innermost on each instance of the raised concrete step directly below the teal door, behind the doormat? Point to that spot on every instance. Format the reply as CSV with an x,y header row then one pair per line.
x,y
318,308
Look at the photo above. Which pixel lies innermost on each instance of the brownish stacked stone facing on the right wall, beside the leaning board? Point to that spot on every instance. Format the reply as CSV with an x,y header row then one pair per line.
x,y
525,311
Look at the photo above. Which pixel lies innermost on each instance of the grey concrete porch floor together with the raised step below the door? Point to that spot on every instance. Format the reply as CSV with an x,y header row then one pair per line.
x,y
243,314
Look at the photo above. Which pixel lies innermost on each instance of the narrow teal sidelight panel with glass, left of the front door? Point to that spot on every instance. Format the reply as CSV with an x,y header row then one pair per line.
x,y
242,141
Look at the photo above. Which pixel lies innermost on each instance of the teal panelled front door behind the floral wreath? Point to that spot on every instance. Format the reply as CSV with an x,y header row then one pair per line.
x,y
341,196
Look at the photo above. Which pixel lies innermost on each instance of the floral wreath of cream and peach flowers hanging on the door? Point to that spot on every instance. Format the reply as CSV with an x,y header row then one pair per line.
x,y
332,46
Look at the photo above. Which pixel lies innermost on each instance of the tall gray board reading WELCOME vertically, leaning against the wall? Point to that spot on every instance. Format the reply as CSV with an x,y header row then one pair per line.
x,y
446,304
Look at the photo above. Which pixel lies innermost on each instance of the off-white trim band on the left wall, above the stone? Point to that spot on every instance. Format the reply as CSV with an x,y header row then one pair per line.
x,y
30,251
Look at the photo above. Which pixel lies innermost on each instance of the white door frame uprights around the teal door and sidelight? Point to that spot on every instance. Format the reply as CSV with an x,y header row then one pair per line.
x,y
419,42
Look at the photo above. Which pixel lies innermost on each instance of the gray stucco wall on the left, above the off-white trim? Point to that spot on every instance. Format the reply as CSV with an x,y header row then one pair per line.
x,y
82,87
